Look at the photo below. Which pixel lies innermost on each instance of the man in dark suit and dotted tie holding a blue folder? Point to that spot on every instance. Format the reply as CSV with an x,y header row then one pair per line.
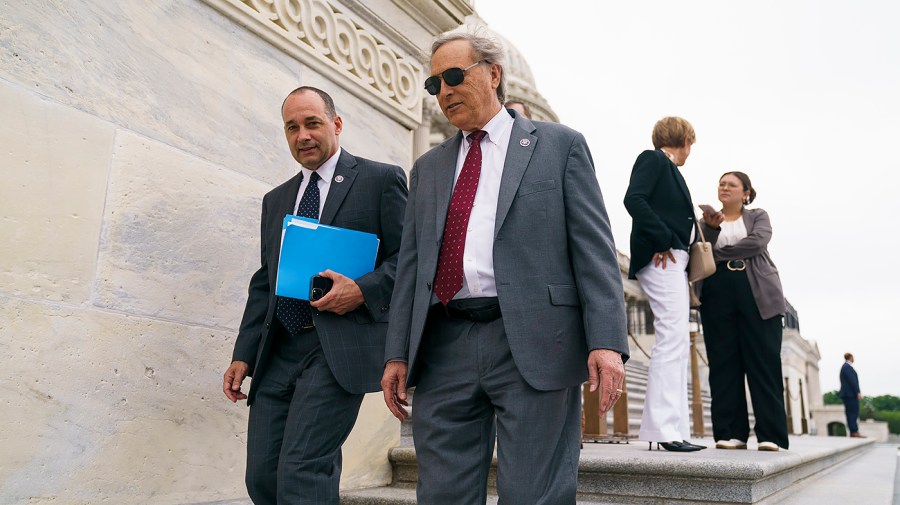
x,y
312,362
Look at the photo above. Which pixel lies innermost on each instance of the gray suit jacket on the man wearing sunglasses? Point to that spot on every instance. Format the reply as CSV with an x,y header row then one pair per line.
x,y
555,264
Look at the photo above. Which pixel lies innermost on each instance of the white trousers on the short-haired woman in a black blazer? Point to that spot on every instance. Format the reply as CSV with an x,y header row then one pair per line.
x,y
665,417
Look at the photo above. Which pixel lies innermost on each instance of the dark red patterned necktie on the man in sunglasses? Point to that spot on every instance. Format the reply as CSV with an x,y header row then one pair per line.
x,y
448,279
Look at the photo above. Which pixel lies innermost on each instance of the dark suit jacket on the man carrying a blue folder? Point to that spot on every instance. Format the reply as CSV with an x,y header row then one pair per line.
x,y
370,197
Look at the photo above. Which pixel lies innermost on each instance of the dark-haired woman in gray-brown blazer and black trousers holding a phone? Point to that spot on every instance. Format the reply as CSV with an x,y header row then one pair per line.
x,y
741,311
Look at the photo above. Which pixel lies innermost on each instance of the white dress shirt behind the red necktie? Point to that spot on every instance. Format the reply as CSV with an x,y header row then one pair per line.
x,y
478,256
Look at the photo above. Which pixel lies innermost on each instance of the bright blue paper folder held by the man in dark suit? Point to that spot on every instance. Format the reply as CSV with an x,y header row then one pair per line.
x,y
308,248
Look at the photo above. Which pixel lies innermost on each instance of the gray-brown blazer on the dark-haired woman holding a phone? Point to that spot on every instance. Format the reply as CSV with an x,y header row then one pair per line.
x,y
753,249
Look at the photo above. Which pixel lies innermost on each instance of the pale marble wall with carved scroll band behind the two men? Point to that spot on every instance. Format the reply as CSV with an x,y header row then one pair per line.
x,y
136,143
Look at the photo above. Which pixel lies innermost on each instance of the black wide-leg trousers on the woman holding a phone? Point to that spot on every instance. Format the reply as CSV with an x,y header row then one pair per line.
x,y
739,344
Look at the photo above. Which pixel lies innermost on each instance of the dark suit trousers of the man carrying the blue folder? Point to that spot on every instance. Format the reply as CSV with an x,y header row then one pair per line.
x,y
298,422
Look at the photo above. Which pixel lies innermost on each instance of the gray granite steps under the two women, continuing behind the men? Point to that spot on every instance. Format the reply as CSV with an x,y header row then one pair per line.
x,y
629,473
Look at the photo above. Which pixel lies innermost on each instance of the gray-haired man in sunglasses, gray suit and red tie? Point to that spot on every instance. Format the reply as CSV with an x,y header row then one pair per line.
x,y
508,294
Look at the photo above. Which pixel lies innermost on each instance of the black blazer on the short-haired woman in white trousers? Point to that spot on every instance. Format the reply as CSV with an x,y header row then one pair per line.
x,y
661,209
